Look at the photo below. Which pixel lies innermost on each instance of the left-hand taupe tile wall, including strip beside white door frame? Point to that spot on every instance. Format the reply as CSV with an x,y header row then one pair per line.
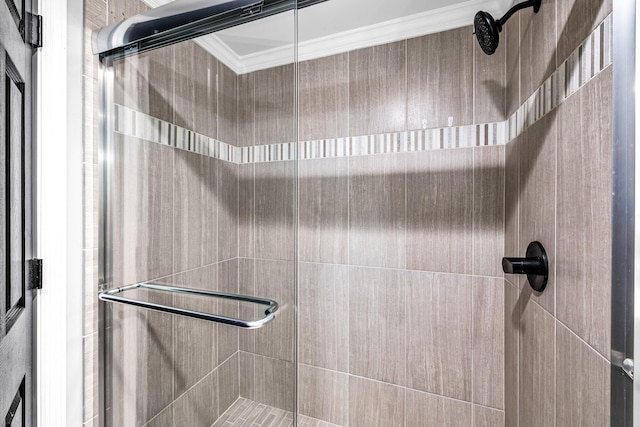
x,y
175,221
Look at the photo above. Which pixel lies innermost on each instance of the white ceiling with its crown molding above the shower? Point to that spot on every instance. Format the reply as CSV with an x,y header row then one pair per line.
x,y
338,26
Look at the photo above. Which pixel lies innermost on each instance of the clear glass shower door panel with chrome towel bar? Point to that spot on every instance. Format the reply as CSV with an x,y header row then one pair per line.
x,y
198,168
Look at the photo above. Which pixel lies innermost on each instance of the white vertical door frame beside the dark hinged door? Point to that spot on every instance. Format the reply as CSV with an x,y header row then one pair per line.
x,y
59,214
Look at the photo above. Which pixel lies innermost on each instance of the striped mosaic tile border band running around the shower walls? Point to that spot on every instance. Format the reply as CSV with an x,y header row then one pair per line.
x,y
590,58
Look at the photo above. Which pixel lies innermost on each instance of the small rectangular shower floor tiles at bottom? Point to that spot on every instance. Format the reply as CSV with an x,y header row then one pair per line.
x,y
247,413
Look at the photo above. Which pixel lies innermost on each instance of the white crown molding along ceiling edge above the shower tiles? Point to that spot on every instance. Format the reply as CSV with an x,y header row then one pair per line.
x,y
433,21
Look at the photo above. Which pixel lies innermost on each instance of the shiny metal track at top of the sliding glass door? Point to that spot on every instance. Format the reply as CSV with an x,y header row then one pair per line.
x,y
183,20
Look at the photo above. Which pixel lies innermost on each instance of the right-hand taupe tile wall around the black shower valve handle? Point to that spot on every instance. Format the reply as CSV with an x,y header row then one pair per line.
x,y
558,191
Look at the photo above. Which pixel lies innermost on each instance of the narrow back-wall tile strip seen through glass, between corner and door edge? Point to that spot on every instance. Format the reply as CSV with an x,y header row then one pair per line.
x,y
266,235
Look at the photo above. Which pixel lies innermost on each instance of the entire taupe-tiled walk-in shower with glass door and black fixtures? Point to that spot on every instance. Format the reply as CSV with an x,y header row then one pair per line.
x,y
300,223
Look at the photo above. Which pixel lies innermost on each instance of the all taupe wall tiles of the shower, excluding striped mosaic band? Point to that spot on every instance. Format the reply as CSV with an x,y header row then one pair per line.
x,y
404,316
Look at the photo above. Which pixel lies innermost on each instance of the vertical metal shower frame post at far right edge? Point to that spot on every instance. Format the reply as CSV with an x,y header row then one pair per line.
x,y
623,234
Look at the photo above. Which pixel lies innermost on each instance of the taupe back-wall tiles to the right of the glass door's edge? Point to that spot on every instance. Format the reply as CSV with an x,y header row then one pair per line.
x,y
400,290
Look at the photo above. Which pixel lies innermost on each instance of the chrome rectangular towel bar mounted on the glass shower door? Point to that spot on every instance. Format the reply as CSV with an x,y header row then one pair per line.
x,y
111,295
